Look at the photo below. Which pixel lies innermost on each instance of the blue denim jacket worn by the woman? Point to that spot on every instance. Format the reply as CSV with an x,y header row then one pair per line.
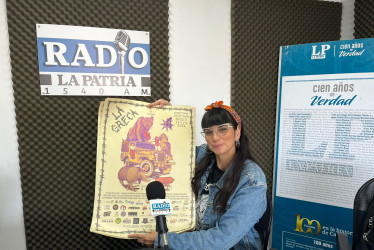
x,y
235,228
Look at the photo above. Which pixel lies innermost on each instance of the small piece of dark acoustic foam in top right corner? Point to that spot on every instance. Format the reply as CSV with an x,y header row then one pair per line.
x,y
364,19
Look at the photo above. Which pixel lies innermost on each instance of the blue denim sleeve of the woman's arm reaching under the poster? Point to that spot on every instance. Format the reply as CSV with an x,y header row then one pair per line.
x,y
246,208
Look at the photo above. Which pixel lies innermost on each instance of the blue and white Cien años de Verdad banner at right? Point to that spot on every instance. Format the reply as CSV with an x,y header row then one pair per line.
x,y
324,140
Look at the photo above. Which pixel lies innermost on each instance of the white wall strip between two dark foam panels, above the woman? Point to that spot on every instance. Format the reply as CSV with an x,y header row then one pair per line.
x,y
200,54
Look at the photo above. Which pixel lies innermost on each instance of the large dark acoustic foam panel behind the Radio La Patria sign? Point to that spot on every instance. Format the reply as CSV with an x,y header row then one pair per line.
x,y
57,135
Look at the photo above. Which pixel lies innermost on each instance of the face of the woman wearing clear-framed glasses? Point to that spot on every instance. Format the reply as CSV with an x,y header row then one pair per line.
x,y
222,141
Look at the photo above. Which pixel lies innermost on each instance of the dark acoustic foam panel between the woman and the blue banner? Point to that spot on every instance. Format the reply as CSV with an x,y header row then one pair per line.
x,y
259,28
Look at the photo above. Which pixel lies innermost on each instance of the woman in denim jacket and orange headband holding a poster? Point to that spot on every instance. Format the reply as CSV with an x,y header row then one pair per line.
x,y
230,188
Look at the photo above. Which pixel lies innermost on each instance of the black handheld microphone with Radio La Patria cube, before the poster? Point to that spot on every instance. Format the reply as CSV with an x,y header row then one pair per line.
x,y
159,208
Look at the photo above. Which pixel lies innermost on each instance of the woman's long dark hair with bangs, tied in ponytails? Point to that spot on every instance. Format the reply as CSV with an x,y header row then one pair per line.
x,y
217,116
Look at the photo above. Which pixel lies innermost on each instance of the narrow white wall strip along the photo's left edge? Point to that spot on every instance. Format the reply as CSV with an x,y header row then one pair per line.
x,y
12,234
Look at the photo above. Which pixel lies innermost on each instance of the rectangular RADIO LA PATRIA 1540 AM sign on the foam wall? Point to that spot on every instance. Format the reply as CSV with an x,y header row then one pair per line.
x,y
76,60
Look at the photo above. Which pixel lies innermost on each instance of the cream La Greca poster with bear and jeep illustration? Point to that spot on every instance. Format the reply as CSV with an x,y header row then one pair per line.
x,y
137,145
